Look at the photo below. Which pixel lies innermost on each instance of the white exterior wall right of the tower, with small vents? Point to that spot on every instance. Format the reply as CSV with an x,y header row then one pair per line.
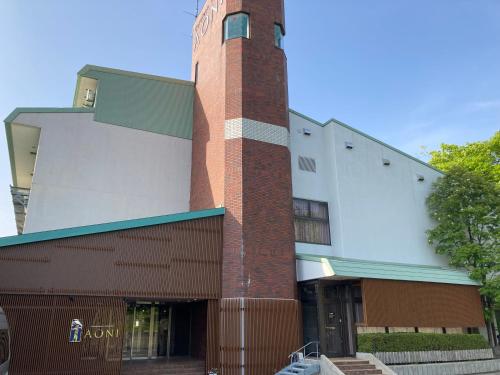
x,y
376,212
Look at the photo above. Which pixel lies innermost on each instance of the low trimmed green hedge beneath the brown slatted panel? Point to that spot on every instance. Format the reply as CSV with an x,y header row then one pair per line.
x,y
415,342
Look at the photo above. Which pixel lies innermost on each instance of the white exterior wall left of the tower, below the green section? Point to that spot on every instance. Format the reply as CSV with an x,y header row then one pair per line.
x,y
89,173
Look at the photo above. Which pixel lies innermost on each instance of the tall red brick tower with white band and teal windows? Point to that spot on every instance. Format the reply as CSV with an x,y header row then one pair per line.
x,y
241,160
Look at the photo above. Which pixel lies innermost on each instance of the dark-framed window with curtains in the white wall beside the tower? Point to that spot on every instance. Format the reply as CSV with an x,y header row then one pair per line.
x,y
311,222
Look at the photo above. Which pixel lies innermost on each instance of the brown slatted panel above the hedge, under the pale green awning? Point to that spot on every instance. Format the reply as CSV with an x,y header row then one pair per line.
x,y
391,303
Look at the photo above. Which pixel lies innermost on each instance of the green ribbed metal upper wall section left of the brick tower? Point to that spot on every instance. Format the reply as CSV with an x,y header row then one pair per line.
x,y
140,101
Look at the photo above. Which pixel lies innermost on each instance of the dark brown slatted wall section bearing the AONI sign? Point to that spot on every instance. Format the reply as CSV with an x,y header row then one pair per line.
x,y
40,328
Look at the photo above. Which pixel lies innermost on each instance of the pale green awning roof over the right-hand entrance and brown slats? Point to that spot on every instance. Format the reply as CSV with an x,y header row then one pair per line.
x,y
392,271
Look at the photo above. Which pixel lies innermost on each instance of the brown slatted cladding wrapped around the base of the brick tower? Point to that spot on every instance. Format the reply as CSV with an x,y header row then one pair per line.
x,y
271,328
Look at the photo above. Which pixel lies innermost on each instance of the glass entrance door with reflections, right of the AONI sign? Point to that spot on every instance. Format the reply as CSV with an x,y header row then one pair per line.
x,y
146,331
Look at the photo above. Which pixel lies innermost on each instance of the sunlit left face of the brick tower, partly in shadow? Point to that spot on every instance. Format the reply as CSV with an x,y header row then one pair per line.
x,y
207,173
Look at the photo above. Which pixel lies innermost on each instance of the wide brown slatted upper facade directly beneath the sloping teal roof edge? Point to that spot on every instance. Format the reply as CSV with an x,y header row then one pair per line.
x,y
176,260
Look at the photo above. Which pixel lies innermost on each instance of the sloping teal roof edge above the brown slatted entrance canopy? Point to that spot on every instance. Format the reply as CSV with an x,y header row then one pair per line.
x,y
107,227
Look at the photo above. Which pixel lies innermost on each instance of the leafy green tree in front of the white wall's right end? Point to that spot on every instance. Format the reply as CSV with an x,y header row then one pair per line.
x,y
464,205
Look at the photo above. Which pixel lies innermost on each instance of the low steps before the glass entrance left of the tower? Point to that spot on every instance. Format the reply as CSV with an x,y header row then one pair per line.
x,y
185,366
